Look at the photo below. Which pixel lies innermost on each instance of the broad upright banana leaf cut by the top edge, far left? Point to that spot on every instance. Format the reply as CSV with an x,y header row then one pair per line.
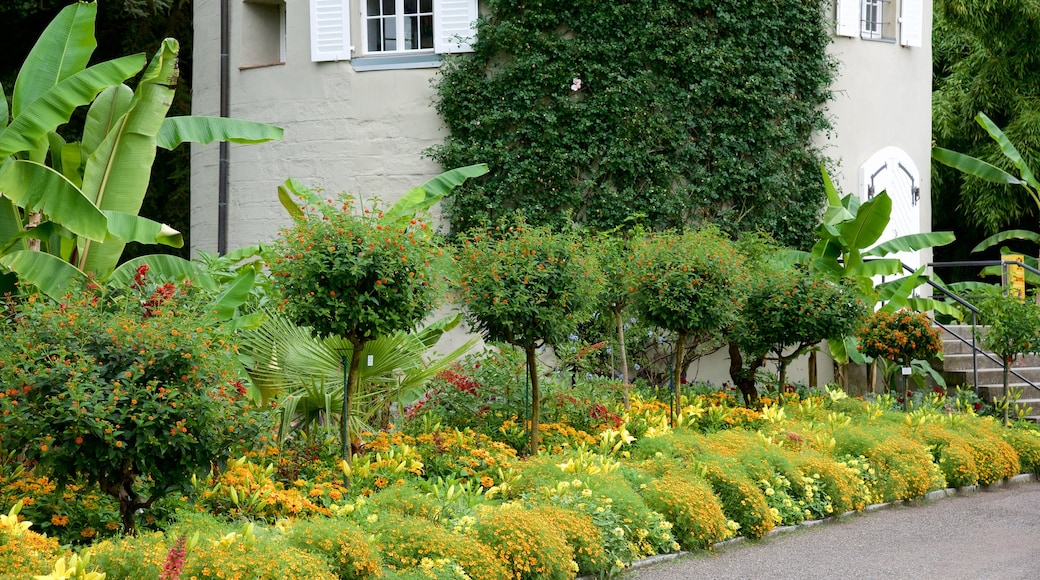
x,y
63,50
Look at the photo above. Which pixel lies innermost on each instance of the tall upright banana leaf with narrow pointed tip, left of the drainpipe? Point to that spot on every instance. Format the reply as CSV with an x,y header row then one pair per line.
x,y
117,174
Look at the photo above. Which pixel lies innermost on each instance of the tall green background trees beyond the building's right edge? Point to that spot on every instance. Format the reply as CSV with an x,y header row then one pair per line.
x,y
985,61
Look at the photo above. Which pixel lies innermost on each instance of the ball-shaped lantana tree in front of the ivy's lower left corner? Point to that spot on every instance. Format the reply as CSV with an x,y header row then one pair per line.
x,y
529,287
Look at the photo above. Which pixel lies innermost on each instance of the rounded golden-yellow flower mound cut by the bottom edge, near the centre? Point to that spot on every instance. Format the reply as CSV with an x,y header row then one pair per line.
x,y
531,546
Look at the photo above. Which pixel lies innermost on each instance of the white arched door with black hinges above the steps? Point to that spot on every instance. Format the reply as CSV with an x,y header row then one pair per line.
x,y
892,170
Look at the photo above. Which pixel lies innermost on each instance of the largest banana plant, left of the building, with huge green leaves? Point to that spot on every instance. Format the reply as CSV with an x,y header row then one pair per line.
x,y
71,219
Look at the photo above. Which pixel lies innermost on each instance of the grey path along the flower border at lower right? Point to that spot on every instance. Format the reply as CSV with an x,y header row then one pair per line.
x,y
993,535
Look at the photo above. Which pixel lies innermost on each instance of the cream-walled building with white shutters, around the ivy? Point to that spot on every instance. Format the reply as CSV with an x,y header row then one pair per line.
x,y
350,82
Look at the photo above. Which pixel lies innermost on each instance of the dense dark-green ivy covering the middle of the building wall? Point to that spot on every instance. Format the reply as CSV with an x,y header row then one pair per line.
x,y
678,112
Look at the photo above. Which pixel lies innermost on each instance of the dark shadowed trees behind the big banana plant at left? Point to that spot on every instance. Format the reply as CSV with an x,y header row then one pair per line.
x,y
123,28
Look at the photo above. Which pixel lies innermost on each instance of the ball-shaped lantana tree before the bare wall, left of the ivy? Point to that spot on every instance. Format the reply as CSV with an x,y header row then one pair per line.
x,y
348,272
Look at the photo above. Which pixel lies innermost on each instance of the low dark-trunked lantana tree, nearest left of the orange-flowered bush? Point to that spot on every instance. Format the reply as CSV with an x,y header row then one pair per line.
x,y
788,313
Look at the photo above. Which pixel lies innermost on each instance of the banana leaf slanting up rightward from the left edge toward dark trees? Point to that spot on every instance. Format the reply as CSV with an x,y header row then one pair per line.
x,y
55,108
